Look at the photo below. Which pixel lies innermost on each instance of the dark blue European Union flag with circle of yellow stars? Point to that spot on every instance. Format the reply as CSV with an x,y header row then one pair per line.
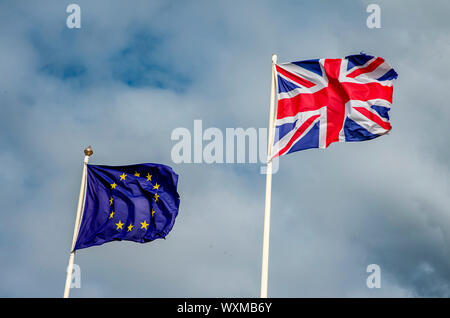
x,y
135,203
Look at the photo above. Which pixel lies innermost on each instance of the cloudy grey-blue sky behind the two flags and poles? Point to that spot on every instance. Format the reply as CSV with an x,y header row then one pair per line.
x,y
135,72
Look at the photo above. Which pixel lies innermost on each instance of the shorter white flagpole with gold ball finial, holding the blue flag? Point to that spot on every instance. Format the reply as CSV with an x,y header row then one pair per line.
x,y
87,152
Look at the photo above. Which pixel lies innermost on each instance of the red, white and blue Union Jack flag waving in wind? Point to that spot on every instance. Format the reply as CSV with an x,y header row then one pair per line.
x,y
331,100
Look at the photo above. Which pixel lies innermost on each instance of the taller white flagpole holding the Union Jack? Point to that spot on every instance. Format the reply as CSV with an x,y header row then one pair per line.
x,y
265,254
